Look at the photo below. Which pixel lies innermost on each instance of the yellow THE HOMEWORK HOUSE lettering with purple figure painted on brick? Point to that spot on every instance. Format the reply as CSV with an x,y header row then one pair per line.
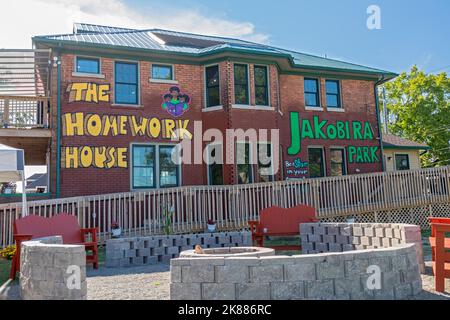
x,y
96,125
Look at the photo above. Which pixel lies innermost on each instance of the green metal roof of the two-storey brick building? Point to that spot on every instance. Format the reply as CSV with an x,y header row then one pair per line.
x,y
194,45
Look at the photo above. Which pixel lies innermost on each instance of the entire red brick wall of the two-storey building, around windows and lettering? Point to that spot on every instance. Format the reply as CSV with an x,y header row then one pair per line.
x,y
286,95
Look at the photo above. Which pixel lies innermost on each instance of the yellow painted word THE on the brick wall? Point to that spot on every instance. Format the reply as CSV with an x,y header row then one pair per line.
x,y
88,92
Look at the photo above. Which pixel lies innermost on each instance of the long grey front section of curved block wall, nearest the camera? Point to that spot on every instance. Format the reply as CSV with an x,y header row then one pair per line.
x,y
342,275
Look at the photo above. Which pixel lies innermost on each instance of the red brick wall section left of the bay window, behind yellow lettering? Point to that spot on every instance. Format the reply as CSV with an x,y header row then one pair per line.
x,y
94,180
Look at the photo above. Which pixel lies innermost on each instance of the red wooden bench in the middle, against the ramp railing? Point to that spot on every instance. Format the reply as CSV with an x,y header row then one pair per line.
x,y
276,221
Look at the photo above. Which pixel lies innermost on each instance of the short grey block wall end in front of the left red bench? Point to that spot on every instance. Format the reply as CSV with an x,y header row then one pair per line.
x,y
45,272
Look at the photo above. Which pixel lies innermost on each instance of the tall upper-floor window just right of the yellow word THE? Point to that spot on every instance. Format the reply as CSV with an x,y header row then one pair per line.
x,y
126,83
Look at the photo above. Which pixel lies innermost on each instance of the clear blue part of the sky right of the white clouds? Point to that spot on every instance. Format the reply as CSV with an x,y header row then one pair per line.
x,y
413,32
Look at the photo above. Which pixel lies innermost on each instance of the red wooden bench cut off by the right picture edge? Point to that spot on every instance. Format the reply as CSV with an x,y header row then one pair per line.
x,y
440,248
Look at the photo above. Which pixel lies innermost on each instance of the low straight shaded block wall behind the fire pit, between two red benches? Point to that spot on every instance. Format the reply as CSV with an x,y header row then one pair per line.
x,y
123,252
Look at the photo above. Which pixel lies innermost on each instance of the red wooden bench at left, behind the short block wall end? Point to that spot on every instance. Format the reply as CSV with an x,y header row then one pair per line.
x,y
65,225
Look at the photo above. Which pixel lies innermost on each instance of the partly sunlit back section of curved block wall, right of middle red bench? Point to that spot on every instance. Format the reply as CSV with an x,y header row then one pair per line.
x,y
339,237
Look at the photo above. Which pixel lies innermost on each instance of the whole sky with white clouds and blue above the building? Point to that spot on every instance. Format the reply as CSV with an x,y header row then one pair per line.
x,y
413,32
